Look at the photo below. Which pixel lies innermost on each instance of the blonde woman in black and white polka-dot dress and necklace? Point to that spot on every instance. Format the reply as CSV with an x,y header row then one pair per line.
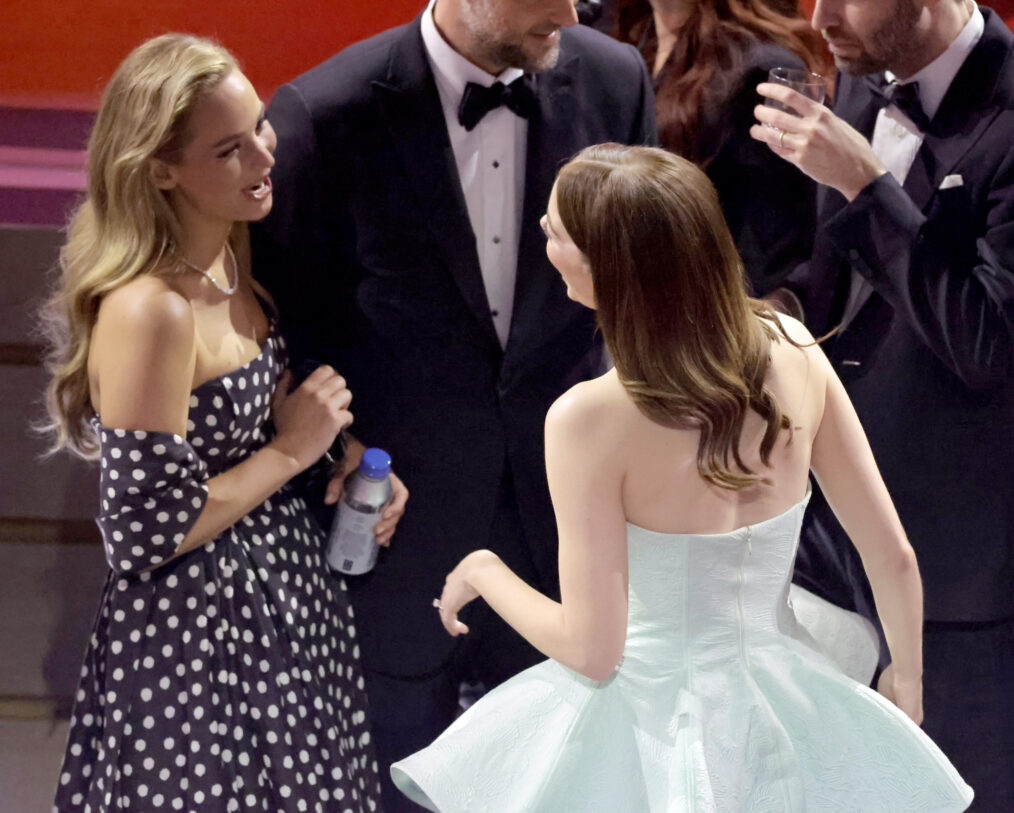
x,y
223,672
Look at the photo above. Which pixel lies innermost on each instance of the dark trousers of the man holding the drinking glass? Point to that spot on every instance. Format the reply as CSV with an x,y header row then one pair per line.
x,y
968,668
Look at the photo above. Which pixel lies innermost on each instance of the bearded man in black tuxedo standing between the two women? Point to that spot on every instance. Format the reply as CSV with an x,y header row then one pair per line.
x,y
405,250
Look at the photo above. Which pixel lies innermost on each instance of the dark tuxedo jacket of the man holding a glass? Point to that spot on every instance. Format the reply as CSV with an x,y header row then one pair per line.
x,y
927,352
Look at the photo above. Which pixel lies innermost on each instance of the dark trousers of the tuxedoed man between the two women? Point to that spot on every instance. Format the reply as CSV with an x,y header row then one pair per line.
x,y
409,713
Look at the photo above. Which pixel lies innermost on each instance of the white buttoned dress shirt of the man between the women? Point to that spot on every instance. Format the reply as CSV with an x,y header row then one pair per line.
x,y
491,162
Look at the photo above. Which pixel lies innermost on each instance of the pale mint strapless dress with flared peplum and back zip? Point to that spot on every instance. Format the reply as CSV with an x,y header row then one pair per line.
x,y
721,703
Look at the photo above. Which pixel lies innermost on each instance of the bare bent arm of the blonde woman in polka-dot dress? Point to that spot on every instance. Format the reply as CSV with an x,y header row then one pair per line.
x,y
146,378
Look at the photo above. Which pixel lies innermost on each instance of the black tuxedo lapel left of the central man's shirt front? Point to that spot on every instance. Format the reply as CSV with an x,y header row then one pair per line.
x,y
410,107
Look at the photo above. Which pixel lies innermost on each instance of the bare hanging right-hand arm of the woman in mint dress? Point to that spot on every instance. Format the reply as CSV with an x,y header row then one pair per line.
x,y
844,466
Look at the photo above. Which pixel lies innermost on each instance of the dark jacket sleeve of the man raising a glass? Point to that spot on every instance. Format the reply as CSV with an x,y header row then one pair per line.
x,y
956,289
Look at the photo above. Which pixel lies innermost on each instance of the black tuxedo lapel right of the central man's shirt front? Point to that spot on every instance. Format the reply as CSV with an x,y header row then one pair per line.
x,y
553,133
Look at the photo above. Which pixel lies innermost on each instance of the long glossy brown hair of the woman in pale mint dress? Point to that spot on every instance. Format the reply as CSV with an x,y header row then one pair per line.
x,y
690,347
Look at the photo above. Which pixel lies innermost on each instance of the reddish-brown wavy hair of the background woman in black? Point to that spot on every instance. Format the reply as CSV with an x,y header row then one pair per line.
x,y
708,55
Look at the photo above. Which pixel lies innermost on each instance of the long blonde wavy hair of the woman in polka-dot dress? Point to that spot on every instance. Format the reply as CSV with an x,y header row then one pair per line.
x,y
125,227
